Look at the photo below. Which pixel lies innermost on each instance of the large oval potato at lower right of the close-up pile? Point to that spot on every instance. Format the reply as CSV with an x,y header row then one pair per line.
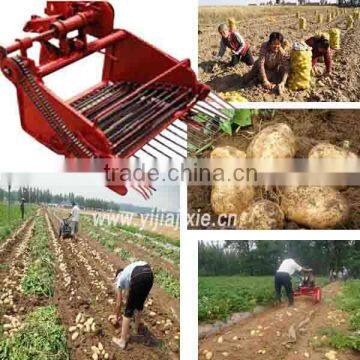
x,y
314,206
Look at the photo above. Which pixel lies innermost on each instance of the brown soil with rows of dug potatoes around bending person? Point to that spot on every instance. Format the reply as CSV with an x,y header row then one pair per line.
x,y
90,267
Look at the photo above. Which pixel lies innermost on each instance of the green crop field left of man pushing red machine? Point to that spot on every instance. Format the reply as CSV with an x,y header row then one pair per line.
x,y
221,296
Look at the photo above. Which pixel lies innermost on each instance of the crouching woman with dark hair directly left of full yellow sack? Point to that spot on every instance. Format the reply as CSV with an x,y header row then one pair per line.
x,y
273,66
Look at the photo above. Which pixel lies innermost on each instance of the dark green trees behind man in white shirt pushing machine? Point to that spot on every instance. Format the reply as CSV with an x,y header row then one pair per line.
x,y
259,257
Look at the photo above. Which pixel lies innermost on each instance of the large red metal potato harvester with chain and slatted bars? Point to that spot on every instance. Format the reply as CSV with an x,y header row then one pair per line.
x,y
134,107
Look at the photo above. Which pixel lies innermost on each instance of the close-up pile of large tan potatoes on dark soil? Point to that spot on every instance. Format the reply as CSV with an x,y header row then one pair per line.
x,y
317,207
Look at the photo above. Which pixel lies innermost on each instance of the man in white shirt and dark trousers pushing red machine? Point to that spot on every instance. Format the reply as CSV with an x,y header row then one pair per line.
x,y
283,278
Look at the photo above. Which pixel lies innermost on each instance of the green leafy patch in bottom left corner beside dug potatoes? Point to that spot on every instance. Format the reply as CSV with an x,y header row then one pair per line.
x,y
42,338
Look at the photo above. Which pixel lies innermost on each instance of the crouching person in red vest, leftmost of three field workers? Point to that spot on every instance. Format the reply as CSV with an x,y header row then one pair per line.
x,y
239,47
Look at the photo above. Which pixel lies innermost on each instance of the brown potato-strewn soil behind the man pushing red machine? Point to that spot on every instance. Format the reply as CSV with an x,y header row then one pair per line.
x,y
269,339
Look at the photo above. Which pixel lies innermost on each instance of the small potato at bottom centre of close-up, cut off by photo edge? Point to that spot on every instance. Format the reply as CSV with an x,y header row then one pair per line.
x,y
262,215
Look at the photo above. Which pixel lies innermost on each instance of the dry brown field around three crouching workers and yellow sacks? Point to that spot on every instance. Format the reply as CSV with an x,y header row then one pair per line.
x,y
255,24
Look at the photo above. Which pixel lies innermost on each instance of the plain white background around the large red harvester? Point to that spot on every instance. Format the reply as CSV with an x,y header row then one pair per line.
x,y
169,25
